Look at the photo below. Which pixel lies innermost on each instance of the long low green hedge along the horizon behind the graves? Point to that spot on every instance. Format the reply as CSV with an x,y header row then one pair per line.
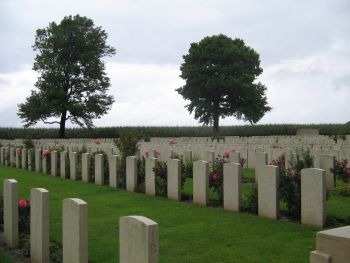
x,y
200,131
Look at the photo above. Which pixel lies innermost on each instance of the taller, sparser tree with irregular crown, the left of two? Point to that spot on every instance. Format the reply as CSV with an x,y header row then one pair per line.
x,y
72,84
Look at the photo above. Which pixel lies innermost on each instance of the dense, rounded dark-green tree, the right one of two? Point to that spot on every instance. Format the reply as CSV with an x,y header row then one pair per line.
x,y
220,75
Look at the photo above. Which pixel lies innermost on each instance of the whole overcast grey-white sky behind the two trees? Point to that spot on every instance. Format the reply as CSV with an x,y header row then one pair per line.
x,y
304,47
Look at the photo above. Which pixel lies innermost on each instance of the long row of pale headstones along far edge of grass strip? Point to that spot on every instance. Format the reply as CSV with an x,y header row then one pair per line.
x,y
314,182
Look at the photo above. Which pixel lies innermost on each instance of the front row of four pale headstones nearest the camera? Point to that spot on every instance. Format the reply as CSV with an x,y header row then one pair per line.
x,y
138,236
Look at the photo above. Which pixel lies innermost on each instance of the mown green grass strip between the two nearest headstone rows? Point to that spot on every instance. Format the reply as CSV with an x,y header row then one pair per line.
x,y
188,233
